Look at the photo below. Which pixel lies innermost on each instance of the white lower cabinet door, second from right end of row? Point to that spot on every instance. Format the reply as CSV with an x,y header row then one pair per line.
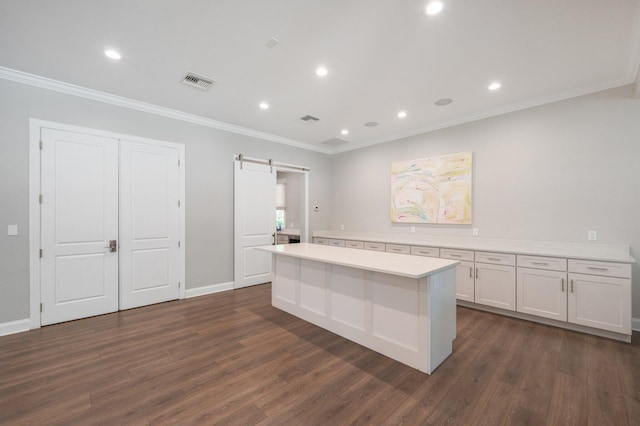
x,y
542,293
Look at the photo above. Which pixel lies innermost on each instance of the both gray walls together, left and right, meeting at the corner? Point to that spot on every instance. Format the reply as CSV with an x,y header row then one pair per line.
x,y
546,173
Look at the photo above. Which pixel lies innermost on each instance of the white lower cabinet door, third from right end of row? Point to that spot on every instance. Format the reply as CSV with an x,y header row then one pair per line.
x,y
496,286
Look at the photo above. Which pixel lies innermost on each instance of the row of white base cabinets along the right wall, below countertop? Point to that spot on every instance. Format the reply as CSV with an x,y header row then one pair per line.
x,y
586,293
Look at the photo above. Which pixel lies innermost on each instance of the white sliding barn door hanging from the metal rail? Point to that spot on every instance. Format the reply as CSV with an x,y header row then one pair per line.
x,y
254,222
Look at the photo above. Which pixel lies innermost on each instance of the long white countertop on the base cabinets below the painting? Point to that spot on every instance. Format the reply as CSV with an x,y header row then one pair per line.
x,y
588,251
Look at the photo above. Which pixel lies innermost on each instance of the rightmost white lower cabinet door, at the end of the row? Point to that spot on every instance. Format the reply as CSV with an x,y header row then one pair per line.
x,y
600,302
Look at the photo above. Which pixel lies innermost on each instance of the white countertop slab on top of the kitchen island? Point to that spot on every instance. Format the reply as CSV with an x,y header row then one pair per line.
x,y
387,263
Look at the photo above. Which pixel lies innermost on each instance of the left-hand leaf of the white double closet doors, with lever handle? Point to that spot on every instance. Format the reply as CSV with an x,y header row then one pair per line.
x,y
79,213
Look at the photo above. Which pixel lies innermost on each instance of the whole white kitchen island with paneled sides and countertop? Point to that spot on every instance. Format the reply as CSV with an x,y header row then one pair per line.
x,y
401,306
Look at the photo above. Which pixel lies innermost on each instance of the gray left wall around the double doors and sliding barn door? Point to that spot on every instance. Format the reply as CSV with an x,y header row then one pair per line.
x,y
209,182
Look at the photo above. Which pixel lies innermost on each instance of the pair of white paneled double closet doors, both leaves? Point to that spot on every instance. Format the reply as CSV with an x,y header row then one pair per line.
x,y
110,224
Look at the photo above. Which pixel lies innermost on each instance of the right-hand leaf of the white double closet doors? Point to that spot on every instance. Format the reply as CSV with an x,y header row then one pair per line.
x,y
149,224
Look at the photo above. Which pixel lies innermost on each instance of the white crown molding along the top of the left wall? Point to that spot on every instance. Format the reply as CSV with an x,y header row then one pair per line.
x,y
95,95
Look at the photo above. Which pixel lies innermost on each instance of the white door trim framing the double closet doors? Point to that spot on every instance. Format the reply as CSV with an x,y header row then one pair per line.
x,y
35,126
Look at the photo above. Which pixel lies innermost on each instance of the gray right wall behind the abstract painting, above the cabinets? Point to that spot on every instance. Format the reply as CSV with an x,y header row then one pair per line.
x,y
547,173
